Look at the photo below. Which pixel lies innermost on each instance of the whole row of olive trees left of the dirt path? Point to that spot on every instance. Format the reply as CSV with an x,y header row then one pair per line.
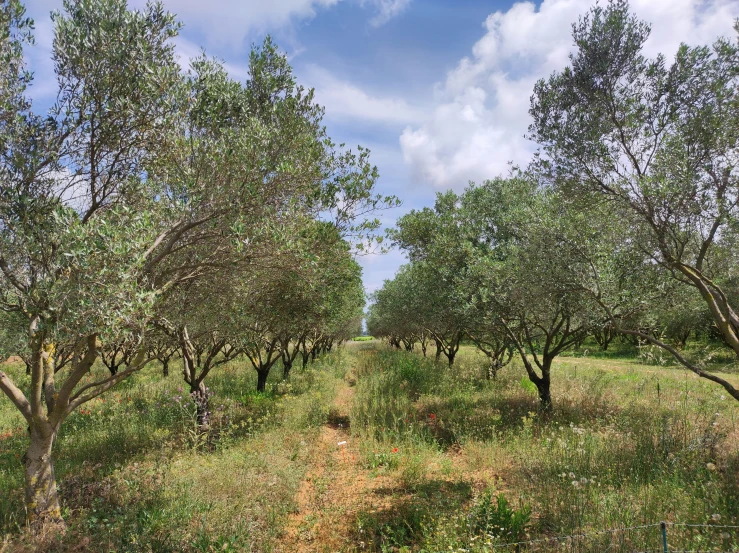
x,y
153,201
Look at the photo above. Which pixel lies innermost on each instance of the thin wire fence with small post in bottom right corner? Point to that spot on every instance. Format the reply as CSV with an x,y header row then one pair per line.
x,y
648,538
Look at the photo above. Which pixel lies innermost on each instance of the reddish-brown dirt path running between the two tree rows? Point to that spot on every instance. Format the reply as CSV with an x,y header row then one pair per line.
x,y
335,488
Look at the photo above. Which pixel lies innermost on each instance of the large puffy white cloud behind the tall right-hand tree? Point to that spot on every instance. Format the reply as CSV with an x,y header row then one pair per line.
x,y
480,116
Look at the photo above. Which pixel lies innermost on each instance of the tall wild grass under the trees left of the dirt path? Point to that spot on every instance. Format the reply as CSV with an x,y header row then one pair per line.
x,y
137,475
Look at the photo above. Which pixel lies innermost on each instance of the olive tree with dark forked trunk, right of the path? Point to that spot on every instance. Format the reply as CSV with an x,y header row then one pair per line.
x,y
522,278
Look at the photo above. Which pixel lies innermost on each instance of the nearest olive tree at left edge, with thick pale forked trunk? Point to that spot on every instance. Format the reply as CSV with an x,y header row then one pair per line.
x,y
73,231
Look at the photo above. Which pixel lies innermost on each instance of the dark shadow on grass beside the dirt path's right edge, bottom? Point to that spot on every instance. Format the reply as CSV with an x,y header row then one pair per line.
x,y
403,523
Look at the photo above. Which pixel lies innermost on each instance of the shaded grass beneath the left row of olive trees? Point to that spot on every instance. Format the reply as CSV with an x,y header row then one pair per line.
x,y
92,445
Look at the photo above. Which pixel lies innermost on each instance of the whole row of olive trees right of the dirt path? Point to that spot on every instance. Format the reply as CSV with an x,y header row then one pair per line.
x,y
624,224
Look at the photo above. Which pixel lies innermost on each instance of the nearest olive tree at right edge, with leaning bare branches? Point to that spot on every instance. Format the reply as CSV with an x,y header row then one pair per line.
x,y
657,139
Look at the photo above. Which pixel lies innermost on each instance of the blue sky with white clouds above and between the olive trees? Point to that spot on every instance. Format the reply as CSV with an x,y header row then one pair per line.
x,y
438,90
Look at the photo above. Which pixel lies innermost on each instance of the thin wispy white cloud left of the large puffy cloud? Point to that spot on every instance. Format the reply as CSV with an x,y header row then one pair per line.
x,y
344,100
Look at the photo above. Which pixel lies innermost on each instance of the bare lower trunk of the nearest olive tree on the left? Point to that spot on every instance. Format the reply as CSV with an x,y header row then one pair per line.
x,y
42,498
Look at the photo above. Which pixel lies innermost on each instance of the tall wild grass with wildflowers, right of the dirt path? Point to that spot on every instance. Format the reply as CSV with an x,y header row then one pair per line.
x,y
617,451
